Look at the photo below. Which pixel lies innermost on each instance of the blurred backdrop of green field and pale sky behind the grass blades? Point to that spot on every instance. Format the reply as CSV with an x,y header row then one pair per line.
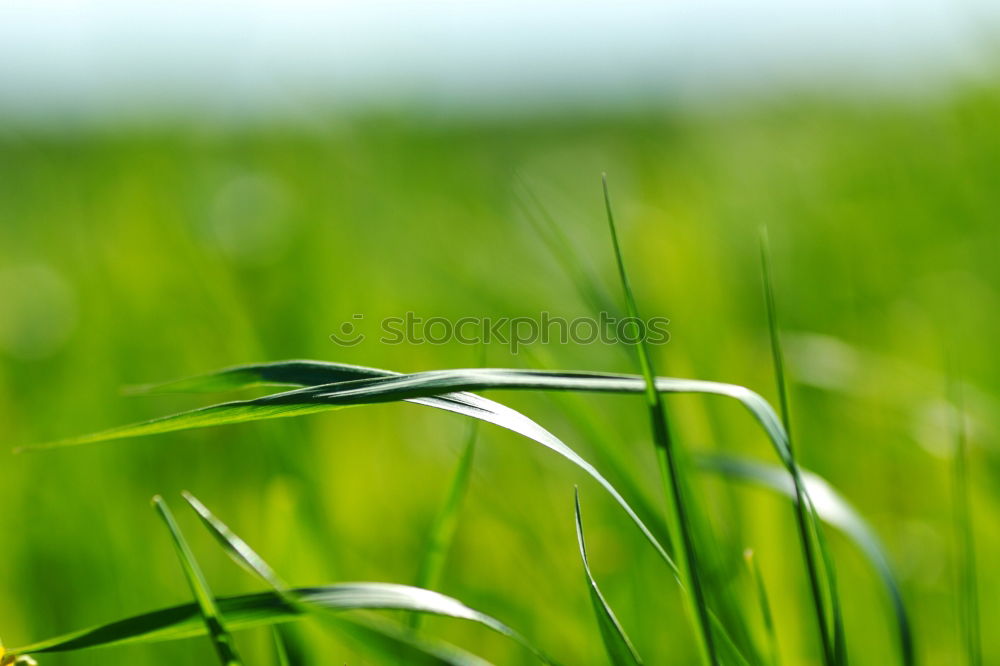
x,y
183,189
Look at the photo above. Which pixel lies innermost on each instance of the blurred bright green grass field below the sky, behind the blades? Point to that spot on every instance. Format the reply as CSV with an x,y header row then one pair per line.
x,y
145,254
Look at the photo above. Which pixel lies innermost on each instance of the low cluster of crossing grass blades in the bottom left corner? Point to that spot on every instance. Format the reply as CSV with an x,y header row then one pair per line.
x,y
216,617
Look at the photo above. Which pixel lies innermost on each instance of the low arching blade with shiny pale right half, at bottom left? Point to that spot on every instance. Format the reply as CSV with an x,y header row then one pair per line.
x,y
267,608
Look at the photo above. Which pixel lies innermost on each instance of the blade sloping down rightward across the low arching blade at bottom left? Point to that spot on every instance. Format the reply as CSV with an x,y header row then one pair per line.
x,y
394,643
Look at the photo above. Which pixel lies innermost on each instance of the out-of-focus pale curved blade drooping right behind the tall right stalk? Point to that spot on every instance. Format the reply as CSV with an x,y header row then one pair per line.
x,y
833,509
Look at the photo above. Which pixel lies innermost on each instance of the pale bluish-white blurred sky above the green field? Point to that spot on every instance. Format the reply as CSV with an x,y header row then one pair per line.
x,y
99,58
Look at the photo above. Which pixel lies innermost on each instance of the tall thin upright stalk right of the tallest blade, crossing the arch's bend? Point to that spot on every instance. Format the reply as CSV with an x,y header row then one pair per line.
x,y
802,516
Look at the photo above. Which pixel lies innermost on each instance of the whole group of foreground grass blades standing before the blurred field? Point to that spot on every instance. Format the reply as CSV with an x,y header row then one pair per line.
x,y
684,544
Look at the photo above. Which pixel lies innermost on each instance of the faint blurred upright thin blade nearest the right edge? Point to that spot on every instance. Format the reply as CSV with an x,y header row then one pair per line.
x,y
967,579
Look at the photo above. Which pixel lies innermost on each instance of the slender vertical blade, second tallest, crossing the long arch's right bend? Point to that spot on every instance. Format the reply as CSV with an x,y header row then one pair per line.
x,y
806,527
